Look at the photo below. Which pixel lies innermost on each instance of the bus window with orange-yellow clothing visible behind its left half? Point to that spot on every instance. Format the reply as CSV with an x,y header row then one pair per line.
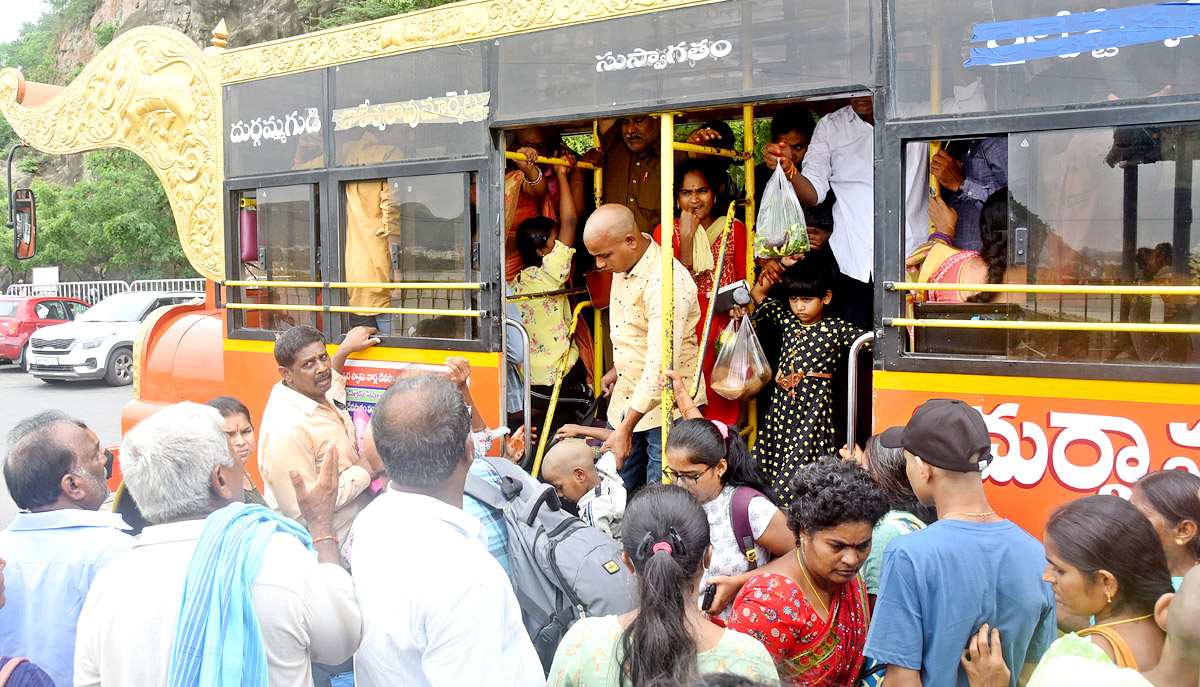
x,y
412,230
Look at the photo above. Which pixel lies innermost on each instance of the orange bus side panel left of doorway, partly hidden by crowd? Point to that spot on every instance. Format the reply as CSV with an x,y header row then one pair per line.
x,y
251,373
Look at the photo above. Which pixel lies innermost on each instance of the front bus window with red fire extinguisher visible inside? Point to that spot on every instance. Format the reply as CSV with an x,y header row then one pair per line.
x,y
279,241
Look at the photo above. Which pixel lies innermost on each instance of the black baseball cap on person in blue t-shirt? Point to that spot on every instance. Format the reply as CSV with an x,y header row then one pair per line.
x,y
945,433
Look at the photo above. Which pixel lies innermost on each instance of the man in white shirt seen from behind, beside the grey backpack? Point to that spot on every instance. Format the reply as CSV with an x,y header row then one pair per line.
x,y
437,610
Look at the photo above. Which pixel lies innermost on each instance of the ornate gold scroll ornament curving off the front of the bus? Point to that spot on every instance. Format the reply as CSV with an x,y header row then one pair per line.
x,y
149,92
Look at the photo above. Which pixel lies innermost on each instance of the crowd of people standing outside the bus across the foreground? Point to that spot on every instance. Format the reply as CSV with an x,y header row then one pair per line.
x,y
880,564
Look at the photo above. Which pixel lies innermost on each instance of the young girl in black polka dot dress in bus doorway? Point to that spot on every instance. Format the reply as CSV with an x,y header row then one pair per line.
x,y
800,427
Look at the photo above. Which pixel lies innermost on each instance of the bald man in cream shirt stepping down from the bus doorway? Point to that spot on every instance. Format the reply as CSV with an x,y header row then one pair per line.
x,y
613,237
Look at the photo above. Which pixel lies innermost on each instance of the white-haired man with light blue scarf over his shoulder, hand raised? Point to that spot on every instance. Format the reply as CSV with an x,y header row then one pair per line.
x,y
215,589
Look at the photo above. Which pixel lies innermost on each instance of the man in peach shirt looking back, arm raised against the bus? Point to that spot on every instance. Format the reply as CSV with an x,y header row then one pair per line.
x,y
305,415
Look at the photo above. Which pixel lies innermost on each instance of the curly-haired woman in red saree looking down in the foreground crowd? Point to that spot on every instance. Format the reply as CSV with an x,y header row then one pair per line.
x,y
809,610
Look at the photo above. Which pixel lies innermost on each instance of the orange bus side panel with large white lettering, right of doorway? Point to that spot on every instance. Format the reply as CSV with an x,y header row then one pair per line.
x,y
1059,440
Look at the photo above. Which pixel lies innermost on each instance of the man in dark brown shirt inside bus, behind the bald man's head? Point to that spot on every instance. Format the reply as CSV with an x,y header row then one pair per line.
x,y
629,152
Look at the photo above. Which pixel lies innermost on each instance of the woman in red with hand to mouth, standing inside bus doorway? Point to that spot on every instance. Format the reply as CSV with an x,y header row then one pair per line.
x,y
698,244
